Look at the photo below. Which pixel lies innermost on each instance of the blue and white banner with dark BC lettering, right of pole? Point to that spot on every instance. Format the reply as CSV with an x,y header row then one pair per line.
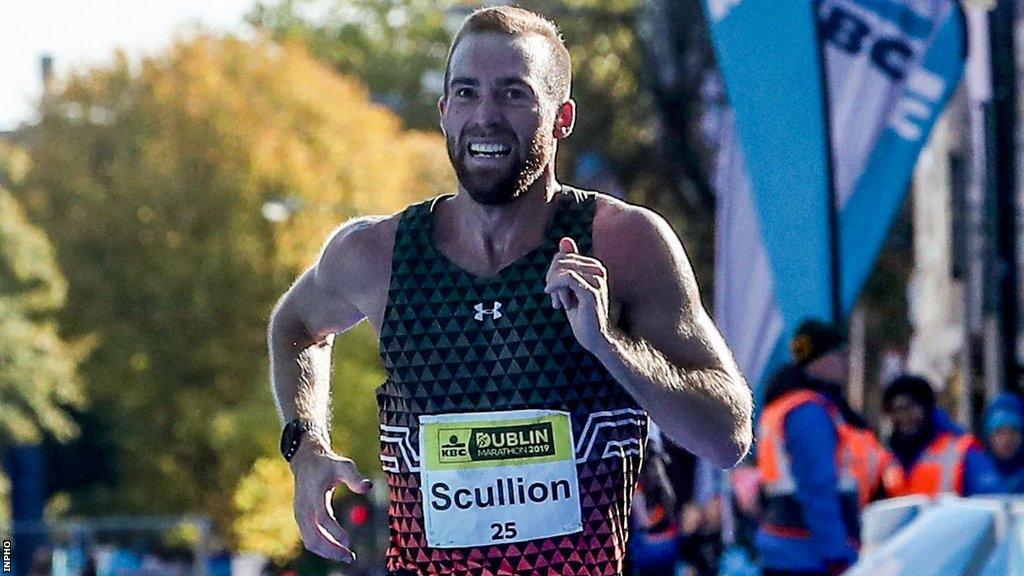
x,y
885,103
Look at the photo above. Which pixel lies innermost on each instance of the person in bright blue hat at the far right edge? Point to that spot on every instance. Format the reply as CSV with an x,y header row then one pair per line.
x,y
1004,427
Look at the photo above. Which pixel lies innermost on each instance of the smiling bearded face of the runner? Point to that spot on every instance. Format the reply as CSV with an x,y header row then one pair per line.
x,y
497,118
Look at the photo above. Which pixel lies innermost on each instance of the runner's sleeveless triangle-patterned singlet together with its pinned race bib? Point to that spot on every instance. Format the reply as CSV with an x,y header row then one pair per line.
x,y
508,448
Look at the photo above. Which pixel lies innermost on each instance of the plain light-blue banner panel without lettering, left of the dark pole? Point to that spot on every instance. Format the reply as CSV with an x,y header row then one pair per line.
x,y
769,57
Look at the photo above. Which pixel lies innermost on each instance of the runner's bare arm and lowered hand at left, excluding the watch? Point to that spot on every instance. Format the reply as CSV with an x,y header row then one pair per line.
x,y
301,338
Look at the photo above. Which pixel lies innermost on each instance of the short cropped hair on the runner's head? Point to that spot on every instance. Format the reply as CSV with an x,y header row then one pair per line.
x,y
518,22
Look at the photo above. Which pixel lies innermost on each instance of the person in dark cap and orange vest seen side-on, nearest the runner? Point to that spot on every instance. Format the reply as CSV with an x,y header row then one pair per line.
x,y
815,458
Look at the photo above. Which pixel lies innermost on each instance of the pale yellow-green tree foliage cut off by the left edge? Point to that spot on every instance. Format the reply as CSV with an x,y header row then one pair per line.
x,y
38,379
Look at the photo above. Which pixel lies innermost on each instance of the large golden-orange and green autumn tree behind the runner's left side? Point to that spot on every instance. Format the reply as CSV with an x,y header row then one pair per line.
x,y
151,177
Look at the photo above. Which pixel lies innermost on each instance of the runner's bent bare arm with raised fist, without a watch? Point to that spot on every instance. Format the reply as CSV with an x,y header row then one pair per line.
x,y
667,352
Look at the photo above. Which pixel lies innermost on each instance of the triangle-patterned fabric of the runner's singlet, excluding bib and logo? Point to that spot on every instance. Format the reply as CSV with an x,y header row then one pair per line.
x,y
441,359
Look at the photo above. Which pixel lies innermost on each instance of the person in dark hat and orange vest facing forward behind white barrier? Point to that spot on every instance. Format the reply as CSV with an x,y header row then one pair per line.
x,y
933,456
